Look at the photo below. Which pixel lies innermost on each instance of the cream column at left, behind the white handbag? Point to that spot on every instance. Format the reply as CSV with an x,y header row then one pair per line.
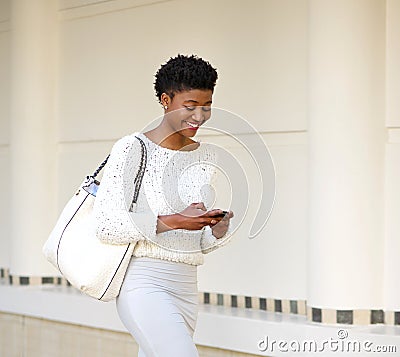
x,y
32,132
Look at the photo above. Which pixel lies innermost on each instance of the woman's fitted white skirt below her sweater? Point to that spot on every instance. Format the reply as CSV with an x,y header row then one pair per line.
x,y
158,304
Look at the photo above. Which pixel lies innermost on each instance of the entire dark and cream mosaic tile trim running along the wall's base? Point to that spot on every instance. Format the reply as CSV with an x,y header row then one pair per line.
x,y
328,316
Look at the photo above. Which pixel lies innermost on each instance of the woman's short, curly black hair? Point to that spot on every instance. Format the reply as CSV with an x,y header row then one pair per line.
x,y
183,73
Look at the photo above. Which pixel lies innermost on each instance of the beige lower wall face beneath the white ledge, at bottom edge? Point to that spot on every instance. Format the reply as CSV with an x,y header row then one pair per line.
x,y
35,337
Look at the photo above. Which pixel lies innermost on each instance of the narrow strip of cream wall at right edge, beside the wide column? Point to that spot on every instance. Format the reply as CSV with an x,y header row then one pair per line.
x,y
392,261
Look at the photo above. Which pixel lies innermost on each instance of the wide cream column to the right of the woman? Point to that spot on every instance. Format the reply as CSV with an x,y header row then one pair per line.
x,y
346,142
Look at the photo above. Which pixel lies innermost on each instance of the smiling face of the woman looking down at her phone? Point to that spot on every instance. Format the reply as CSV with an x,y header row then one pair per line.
x,y
188,110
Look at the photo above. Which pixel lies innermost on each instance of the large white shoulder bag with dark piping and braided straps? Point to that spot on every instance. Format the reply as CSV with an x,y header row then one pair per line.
x,y
94,267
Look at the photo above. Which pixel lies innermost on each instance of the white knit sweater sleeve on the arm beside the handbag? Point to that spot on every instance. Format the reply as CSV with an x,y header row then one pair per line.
x,y
115,224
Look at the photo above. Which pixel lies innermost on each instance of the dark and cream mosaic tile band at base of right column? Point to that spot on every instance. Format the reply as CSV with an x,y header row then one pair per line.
x,y
353,317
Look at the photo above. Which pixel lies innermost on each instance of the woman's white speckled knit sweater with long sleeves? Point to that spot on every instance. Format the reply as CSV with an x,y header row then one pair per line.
x,y
172,181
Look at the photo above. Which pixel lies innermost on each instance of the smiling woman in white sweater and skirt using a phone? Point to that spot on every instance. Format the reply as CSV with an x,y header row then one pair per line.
x,y
171,225
